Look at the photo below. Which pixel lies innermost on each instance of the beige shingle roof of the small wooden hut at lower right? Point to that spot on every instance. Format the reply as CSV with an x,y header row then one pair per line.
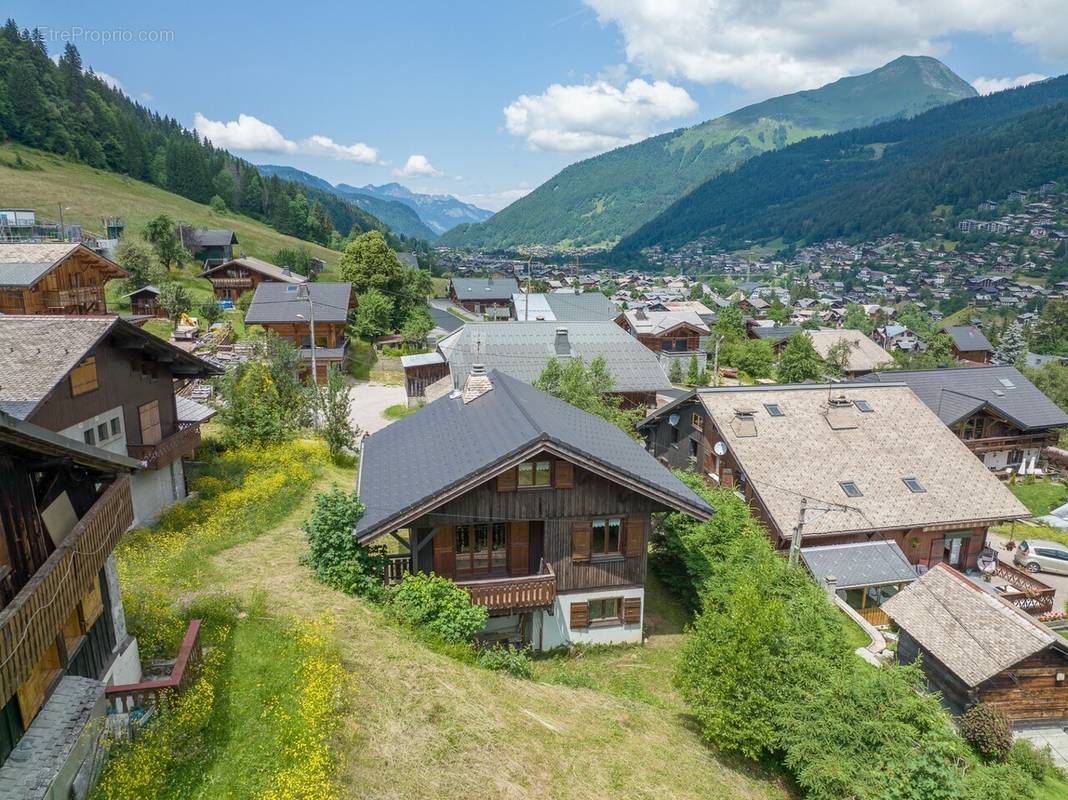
x,y
973,633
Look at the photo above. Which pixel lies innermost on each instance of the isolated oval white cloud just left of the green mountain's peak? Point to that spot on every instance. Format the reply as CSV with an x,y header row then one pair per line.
x,y
595,117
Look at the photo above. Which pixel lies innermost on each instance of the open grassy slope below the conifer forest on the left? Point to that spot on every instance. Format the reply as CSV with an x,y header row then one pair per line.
x,y
87,195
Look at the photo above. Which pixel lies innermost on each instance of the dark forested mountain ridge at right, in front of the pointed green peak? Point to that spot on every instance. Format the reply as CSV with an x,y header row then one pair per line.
x,y
886,179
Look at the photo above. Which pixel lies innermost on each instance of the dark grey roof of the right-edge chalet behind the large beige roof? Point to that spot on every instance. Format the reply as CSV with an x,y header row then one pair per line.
x,y
956,395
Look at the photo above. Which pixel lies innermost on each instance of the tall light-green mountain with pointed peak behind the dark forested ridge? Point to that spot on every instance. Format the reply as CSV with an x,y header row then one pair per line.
x,y
606,198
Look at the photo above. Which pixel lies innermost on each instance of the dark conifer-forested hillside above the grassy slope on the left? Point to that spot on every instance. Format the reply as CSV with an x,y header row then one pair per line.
x,y
58,107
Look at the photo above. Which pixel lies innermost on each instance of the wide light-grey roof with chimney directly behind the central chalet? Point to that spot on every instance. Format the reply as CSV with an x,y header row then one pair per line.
x,y
523,350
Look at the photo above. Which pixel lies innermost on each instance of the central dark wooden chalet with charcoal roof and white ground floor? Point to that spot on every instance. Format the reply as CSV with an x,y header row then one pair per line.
x,y
542,511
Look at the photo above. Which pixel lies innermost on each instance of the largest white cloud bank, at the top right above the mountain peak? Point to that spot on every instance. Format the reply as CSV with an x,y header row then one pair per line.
x,y
787,45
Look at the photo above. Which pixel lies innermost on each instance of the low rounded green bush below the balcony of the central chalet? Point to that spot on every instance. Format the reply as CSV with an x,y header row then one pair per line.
x,y
439,607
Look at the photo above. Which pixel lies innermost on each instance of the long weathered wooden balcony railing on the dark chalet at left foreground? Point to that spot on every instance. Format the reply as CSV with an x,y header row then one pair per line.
x,y
32,622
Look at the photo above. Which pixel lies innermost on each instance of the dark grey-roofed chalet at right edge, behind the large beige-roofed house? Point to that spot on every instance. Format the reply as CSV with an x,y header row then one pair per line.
x,y
1001,416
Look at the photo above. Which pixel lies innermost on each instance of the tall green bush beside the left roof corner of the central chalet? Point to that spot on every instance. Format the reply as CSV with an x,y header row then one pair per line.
x,y
335,556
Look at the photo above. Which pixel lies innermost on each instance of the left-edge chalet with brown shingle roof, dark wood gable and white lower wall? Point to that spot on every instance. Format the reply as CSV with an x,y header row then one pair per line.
x,y
108,384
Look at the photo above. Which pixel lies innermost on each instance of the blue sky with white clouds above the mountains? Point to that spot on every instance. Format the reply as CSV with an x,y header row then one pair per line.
x,y
486,101
